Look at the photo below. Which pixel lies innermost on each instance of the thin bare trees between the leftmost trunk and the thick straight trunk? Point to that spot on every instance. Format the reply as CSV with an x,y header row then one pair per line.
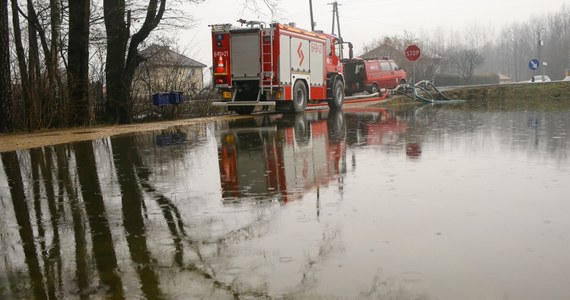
x,y
39,103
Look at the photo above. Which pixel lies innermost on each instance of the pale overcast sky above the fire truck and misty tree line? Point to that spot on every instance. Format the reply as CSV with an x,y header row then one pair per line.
x,y
364,20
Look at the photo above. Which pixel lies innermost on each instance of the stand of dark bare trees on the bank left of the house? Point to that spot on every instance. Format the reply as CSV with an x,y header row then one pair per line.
x,y
50,52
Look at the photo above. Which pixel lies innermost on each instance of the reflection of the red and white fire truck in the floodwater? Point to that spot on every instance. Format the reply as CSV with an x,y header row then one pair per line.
x,y
281,157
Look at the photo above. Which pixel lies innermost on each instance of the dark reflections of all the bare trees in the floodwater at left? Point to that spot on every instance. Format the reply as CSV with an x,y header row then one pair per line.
x,y
53,187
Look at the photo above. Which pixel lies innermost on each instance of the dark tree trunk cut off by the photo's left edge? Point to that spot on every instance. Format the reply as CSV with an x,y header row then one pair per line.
x,y
6,108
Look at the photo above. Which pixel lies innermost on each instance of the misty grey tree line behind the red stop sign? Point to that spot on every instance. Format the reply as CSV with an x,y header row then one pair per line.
x,y
479,50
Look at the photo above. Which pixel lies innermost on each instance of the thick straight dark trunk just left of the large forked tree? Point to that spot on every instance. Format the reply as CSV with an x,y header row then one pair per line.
x,y
78,62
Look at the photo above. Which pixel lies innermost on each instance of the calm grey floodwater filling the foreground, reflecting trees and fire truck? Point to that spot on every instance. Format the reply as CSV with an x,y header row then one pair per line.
x,y
429,202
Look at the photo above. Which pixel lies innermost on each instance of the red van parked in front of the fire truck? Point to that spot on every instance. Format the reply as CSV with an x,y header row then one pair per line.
x,y
371,75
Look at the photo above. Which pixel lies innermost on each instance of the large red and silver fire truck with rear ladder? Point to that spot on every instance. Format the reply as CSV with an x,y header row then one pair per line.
x,y
277,65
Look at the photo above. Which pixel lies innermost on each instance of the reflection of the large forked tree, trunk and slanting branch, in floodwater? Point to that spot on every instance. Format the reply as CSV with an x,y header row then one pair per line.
x,y
134,175
